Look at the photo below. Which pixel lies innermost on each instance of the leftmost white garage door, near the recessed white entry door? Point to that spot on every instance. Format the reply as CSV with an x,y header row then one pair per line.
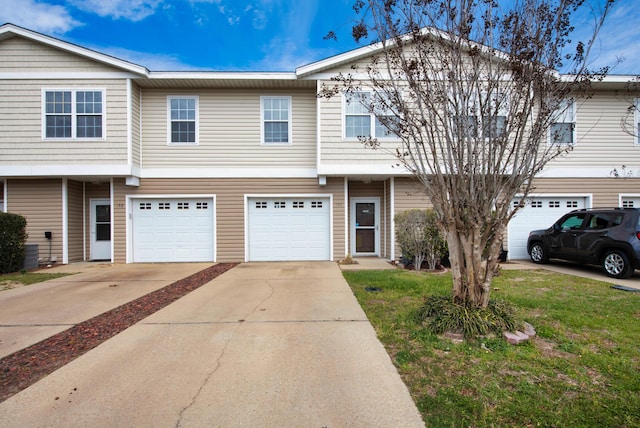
x,y
173,230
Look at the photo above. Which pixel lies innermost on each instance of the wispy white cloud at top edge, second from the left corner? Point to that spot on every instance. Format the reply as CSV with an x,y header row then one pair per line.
x,y
133,10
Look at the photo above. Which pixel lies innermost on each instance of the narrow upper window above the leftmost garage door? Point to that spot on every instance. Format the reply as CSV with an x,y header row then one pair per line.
x,y
183,120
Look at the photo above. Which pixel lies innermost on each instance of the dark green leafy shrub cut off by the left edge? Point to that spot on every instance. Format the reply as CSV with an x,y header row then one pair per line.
x,y
13,235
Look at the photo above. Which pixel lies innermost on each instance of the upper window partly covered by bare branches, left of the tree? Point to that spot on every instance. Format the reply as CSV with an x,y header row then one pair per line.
x,y
360,122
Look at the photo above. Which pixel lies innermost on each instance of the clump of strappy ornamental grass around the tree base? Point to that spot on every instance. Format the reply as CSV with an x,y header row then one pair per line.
x,y
440,315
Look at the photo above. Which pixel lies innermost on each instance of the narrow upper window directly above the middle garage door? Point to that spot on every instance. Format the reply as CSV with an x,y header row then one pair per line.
x,y
276,120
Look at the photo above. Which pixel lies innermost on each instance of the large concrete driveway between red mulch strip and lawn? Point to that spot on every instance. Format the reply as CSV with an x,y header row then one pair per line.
x,y
265,344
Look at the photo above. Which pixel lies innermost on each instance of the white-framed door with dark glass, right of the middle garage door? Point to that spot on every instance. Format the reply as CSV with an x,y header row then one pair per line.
x,y
365,226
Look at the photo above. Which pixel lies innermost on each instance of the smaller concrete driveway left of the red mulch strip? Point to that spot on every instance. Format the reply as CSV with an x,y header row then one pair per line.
x,y
33,313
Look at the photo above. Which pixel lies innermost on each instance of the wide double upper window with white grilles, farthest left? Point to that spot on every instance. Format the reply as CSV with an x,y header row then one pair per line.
x,y
73,114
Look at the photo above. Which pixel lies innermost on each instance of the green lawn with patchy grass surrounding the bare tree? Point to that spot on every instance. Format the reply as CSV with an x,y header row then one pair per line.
x,y
582,369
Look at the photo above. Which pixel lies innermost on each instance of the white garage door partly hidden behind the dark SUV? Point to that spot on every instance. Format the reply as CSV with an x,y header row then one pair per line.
x,y
539,213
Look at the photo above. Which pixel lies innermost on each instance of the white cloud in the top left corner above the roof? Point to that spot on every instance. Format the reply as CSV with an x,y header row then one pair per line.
x,y
37,16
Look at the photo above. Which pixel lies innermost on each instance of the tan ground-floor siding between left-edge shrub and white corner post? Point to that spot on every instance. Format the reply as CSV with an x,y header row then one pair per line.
x,y
40,202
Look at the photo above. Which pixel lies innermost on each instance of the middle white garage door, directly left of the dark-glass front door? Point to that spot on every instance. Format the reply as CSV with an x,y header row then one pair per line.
x,y
288,228
